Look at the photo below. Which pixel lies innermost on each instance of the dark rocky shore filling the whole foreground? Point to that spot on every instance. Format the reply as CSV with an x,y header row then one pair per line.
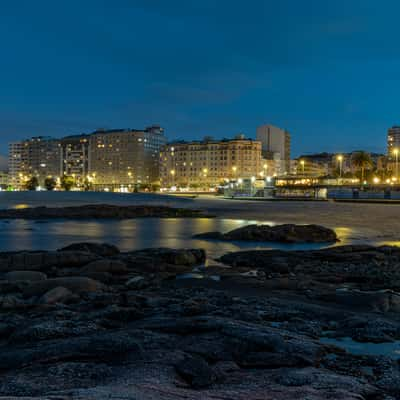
x,y
90,322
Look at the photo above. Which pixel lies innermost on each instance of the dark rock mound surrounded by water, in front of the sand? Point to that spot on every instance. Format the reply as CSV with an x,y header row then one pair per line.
x,y
287,233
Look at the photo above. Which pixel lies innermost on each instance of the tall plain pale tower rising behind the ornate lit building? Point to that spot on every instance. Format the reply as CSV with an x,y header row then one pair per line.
x,y
275,146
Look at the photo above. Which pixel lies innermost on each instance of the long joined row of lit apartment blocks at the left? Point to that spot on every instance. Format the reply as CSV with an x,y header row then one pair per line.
x,y
108,159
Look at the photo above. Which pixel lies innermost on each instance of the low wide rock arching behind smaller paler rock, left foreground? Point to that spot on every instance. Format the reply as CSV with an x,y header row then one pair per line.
x,y
74,284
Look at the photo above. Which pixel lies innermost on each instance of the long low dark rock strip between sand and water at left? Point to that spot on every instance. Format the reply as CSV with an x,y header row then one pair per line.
x,y
101,211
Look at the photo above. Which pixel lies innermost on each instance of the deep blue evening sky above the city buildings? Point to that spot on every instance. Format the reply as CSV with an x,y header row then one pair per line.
x,y
328,71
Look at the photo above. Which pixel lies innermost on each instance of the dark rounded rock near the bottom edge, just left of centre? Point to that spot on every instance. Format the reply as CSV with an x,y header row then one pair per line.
x,y
196,372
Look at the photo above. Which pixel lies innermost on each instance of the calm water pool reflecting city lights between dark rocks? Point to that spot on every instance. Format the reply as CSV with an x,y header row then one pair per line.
x,y
131,234
